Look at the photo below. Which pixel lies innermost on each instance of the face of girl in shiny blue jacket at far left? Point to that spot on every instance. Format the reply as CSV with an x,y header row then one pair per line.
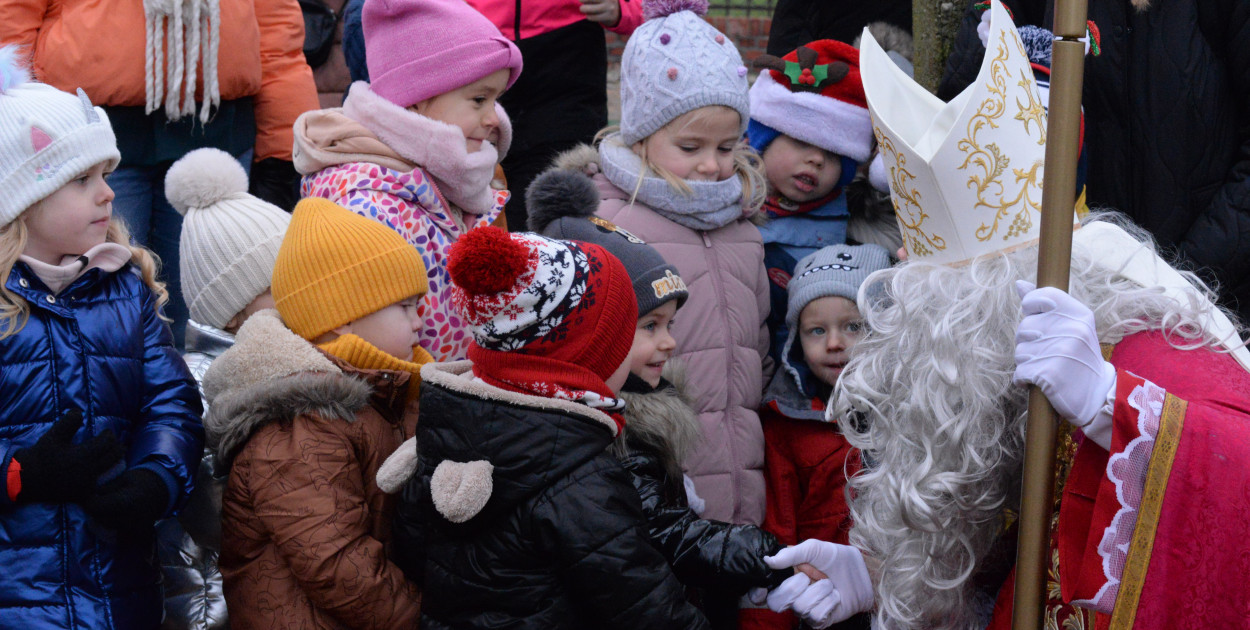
x,y
73,219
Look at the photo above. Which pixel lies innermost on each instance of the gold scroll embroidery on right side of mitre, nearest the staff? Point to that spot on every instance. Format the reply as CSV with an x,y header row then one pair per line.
x,y
1022,196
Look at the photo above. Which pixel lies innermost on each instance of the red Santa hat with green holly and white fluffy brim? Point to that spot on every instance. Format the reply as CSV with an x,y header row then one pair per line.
x,y
814,94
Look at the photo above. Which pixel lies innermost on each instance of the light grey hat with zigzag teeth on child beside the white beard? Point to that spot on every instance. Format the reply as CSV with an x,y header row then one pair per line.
x,y
837,271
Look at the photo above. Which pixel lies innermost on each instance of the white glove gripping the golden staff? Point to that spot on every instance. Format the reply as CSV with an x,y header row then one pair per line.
x,y
1058,351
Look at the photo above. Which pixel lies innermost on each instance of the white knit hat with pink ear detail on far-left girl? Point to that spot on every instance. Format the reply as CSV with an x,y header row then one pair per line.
x,y
47,138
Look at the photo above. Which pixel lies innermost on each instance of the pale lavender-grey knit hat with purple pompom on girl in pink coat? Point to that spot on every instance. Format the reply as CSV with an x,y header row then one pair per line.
x,y
678,63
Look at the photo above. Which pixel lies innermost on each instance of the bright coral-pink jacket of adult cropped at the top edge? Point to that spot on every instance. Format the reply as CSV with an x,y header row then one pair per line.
x,y
538,17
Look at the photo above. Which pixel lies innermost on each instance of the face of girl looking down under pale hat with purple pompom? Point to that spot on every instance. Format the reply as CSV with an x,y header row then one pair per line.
x,y
697,146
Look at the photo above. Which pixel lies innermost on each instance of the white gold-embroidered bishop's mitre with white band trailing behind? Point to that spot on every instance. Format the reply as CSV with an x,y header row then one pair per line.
x,y
966,177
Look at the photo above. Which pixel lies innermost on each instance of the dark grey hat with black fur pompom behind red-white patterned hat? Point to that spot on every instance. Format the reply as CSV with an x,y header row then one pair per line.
x,y
563,204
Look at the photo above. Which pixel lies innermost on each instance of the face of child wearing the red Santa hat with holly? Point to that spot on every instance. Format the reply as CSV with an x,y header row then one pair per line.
x,y
801,172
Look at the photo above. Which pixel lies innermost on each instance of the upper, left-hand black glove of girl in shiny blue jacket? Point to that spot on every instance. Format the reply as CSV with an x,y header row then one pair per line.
x,y
57,471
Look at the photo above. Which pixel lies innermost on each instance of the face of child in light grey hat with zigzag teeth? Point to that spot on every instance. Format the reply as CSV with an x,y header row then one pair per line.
x,y
828,329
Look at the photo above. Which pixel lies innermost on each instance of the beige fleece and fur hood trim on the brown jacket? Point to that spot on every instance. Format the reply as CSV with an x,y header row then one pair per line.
x,y
271,376
